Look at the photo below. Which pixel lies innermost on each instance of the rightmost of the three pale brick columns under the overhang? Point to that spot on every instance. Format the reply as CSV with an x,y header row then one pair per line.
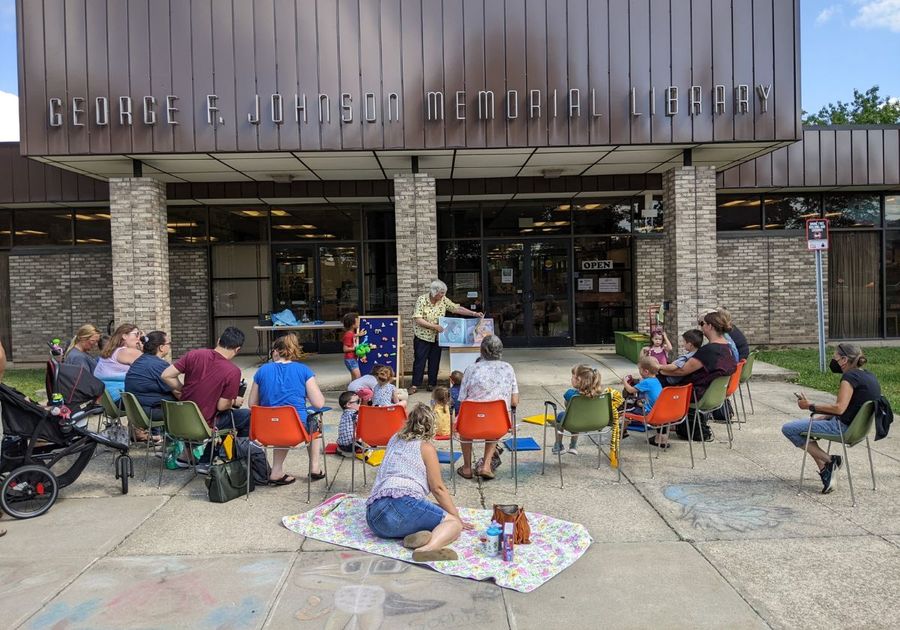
x,y
690,246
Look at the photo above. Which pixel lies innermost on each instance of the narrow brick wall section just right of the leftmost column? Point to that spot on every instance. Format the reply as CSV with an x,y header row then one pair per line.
x,y
189,297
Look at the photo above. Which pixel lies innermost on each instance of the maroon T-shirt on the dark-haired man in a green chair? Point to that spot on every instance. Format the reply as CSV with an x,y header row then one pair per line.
x,y
208,376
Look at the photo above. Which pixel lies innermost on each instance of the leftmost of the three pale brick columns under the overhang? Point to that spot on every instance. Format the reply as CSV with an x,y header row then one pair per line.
x,y
140,249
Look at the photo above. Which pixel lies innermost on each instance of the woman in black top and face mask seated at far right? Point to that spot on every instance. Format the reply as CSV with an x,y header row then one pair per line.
x,y
857,387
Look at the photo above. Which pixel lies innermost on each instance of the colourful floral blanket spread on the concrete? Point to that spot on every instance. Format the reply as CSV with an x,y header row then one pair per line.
x,y
555,544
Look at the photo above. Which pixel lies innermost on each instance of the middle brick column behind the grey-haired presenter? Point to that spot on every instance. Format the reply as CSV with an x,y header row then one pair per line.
x,y
415,215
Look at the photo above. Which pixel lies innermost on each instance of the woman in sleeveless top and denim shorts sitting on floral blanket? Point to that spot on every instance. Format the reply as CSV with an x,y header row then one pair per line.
x,y
397,506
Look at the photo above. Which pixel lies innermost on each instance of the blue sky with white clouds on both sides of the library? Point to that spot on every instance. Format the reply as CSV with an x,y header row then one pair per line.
x,y
845,44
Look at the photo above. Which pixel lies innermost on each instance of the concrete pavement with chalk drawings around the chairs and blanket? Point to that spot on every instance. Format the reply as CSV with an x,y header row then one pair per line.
x,y
728,543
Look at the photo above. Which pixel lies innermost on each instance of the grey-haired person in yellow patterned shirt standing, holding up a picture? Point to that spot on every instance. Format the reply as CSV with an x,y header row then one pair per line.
x,y
429,308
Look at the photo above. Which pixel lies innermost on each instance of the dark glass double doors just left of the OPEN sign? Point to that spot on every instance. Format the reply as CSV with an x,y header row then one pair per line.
x,y
528,291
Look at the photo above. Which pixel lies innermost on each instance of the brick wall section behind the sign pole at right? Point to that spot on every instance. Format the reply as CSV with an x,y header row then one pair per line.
x,y
769,285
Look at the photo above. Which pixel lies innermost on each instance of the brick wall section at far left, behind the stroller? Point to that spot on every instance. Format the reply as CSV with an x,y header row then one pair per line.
x,y
51,295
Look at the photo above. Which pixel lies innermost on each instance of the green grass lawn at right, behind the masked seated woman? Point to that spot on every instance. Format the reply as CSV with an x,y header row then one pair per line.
x,y
883,363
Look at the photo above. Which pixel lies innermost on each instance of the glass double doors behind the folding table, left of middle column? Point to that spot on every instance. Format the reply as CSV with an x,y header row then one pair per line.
x,y
317,282
